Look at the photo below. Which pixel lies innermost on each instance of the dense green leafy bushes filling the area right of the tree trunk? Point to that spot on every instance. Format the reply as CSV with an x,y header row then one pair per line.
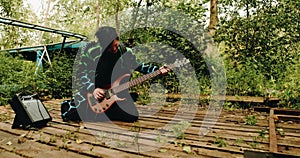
x,y
259,40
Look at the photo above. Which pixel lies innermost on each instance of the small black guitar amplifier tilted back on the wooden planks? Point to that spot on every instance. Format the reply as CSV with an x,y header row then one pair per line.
x,y
30,111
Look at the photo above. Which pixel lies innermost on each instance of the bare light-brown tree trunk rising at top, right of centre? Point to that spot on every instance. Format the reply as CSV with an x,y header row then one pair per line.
x,y
213,21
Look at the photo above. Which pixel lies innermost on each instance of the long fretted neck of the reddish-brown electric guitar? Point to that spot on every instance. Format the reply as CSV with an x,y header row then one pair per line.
x,y
135,82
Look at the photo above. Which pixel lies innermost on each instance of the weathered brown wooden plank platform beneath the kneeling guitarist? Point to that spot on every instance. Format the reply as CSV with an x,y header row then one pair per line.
x,y
160,132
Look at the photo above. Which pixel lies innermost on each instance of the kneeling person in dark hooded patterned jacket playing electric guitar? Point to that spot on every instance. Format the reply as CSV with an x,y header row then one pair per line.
x,y
114,60
